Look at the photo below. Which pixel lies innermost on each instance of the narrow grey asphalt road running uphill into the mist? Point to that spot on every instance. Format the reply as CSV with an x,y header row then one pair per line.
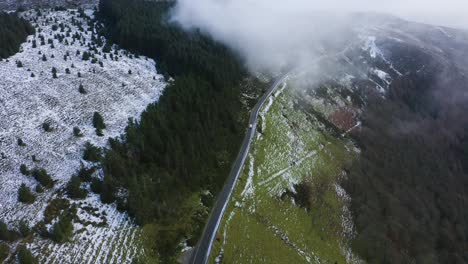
x,y
202,251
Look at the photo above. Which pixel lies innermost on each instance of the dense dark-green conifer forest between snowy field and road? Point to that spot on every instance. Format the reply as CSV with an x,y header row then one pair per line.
x,y
184,144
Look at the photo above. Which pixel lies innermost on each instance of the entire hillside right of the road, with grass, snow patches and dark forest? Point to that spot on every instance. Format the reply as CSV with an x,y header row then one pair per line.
x,y
406,83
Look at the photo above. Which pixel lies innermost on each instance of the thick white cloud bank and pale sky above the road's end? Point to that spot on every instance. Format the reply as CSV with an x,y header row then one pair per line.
x,y
271,35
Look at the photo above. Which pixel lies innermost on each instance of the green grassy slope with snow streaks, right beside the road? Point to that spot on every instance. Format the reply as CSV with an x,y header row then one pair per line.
x,y
260,227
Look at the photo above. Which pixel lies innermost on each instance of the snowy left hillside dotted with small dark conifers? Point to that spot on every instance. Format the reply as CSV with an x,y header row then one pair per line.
x,y
31,96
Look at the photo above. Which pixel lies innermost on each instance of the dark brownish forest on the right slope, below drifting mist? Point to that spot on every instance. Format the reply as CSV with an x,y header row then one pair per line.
x,y
408,188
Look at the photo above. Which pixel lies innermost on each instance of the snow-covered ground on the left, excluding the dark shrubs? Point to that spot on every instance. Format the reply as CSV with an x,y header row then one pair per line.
x,y
30,96
